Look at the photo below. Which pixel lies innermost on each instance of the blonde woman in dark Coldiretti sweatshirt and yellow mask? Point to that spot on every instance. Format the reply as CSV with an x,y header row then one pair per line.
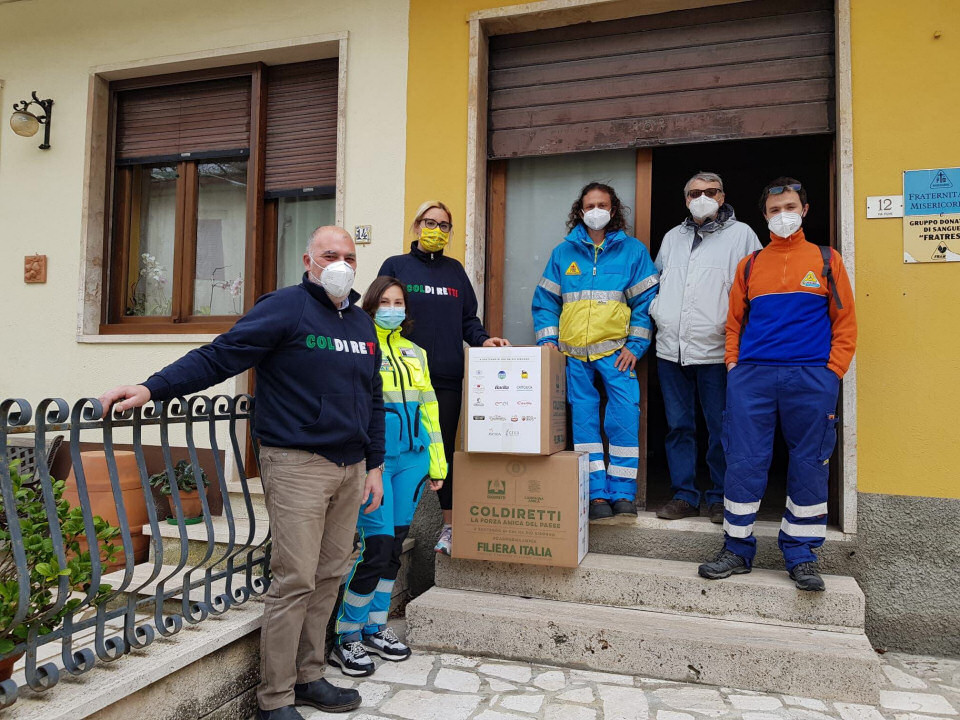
x,y
444,307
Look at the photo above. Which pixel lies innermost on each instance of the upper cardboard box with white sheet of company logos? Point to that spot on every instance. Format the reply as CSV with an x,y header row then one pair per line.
x,y
515,400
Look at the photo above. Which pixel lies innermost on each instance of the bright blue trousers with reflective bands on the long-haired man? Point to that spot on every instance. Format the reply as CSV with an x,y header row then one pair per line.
x,y
618,480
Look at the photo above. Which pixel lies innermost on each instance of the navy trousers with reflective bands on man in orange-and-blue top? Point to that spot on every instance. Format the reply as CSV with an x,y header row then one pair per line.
x,y
805,400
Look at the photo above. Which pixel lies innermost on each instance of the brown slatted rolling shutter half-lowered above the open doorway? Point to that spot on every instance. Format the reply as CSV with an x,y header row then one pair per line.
x,y
737,71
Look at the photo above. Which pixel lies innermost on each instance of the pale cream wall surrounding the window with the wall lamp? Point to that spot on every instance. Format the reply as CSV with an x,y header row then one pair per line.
x,y
50,46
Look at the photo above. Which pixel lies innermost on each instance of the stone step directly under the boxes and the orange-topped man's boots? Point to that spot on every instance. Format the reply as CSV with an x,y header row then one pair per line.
x,y
670,586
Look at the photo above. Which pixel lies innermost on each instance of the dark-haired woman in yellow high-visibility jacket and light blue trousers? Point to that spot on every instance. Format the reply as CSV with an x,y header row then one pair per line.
x,y
414,458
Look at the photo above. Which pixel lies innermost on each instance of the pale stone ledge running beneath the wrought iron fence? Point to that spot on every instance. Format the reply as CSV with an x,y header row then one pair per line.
x,y
74,698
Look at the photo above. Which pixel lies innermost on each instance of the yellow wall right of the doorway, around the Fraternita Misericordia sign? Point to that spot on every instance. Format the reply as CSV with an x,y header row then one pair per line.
x,y
904,81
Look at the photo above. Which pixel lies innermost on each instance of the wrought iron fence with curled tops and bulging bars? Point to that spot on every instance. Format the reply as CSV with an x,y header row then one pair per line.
x,y
53,553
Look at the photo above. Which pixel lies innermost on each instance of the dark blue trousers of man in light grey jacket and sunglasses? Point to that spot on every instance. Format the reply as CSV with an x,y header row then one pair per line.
x,y
680,385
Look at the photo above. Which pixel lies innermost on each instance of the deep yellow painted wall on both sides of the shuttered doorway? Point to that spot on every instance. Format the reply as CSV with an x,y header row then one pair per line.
x,y
905,85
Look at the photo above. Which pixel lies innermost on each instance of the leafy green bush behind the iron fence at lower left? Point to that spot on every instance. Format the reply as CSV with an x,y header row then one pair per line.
x,y
42,565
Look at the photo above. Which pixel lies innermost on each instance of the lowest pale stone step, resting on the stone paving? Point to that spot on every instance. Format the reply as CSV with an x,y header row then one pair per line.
x,y
751,656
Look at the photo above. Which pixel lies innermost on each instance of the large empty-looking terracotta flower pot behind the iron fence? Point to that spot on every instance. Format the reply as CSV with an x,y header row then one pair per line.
x,y
102,503
